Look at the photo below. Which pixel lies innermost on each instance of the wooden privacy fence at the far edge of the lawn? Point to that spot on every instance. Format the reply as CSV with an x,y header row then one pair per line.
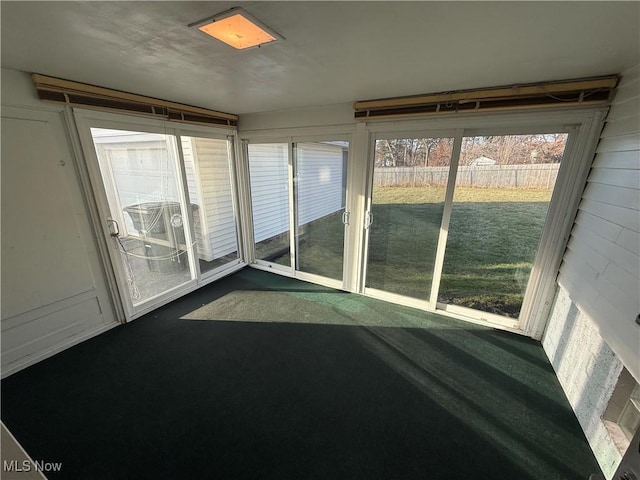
x,y
541,175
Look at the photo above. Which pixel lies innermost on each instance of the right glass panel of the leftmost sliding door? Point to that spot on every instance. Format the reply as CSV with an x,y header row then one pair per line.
x,y
207,165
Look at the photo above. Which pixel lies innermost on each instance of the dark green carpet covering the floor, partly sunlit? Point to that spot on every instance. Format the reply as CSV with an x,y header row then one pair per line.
x,y
174,396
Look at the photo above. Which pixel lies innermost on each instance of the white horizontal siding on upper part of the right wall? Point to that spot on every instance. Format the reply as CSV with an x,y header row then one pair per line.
x,y
601,270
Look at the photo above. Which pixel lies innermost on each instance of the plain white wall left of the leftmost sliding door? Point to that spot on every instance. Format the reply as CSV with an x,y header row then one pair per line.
x,y
53,289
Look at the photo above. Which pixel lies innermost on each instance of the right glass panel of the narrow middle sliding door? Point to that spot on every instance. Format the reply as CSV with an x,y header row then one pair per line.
x,y
320,194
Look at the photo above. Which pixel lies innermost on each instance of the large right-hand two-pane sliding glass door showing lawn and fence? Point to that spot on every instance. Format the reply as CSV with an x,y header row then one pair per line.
x,y
453,222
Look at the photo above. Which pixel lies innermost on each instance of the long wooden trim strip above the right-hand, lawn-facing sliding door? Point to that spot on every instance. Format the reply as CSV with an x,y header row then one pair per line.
x,y
595,91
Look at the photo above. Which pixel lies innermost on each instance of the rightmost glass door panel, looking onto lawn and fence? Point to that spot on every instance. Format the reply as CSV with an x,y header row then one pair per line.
x,y
503,188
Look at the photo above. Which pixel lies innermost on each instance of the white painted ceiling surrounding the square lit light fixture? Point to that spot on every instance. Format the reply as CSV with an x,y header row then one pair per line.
x,y
334,52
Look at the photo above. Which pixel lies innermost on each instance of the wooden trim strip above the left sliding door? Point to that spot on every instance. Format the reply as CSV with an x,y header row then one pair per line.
x,y
75,93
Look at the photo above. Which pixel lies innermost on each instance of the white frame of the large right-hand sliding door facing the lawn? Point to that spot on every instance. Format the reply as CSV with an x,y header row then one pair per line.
x,y
583,126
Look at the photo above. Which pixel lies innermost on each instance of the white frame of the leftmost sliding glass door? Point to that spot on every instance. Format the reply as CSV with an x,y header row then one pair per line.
x,y
81,120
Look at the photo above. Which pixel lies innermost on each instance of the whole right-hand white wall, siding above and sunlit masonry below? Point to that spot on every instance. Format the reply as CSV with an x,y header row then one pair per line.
x,y
591,332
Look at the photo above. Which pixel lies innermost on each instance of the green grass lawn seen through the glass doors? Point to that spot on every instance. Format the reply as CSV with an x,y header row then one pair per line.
x,y
493,235
